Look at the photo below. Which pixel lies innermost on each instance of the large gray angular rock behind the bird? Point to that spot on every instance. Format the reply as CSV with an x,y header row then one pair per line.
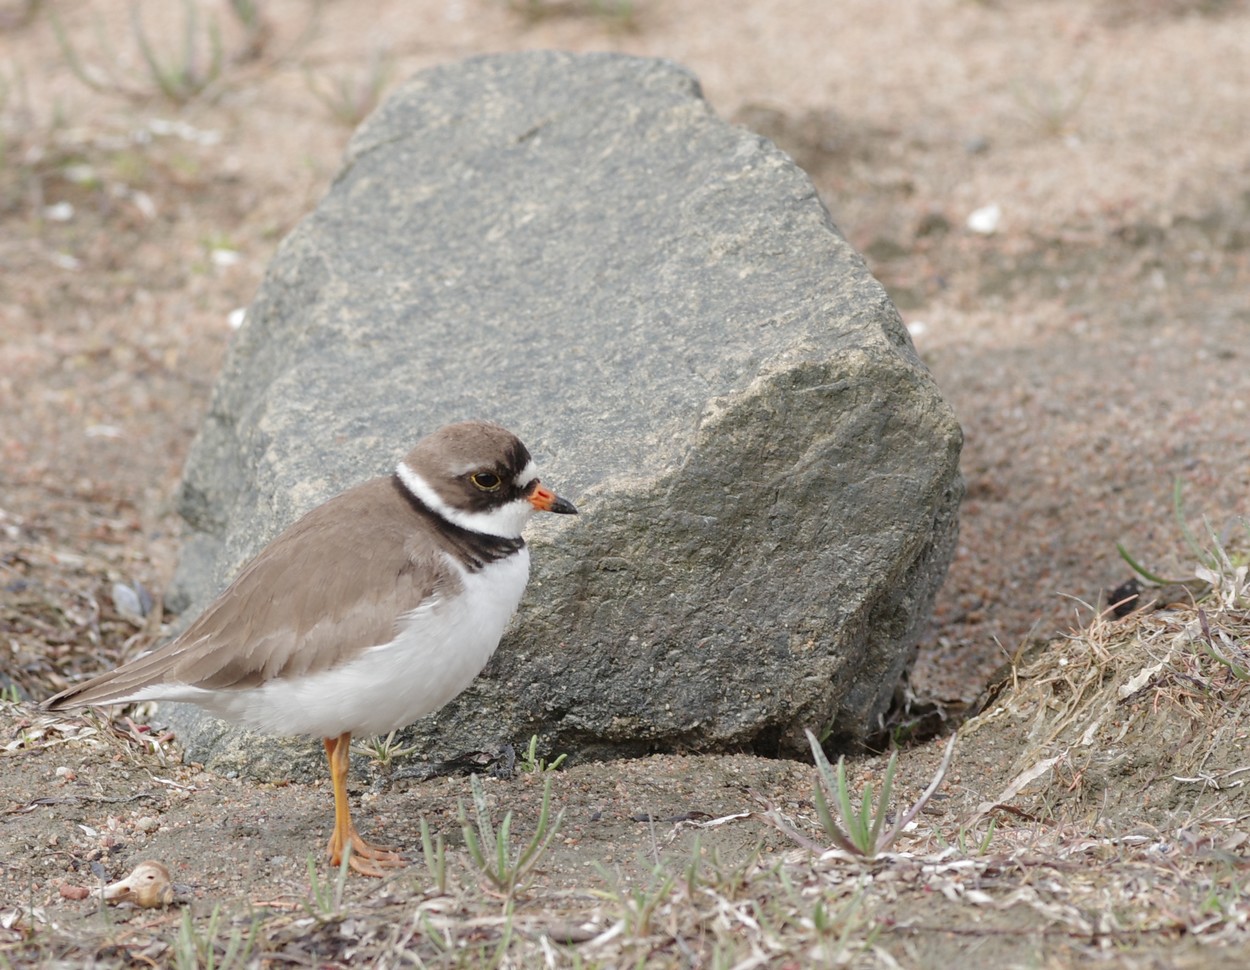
x,y
662,308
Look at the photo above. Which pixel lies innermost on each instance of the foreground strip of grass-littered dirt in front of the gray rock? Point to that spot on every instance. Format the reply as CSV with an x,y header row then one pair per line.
x,y
1093,811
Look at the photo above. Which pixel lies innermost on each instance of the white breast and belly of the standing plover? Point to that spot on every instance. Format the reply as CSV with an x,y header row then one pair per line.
x,y
438,652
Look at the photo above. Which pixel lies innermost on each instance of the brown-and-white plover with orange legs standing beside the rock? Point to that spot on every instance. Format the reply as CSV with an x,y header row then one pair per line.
x,y
374,609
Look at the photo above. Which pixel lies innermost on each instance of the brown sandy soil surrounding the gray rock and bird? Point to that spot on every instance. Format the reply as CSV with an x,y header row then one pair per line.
x,y
1094,347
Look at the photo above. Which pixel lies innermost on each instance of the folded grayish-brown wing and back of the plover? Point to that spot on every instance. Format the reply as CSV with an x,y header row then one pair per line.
x,y
332,586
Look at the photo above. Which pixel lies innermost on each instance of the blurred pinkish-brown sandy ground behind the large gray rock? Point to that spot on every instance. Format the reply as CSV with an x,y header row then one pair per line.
x,y
1089,323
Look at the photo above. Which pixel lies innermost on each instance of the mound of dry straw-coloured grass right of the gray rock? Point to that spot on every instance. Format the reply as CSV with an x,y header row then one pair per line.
x,y
1143,716
